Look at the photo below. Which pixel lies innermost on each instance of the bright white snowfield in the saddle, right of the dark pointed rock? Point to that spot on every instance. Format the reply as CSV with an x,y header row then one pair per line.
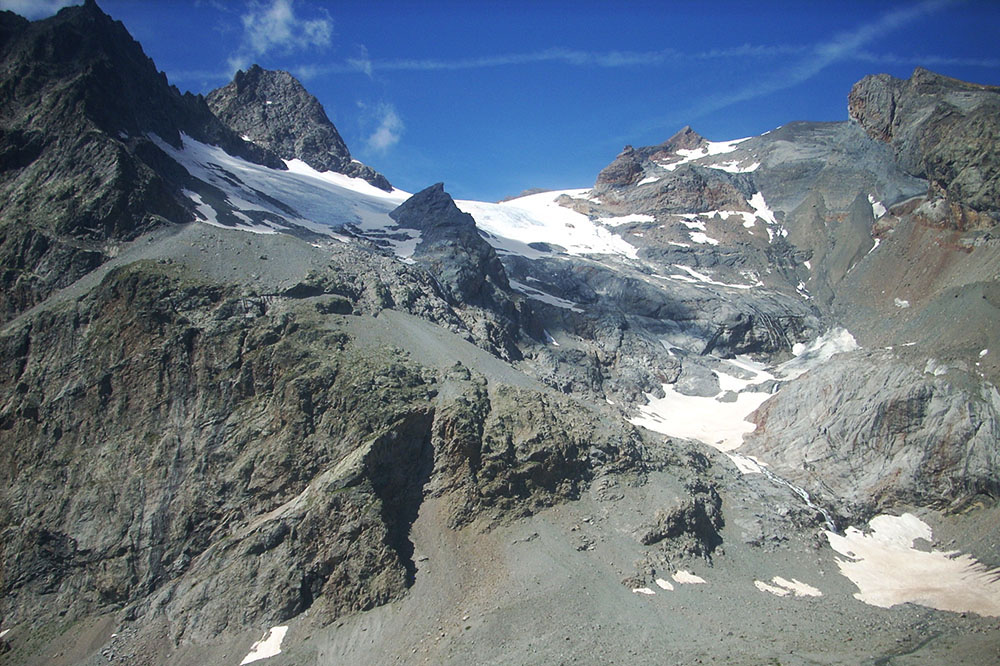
x,y
538,218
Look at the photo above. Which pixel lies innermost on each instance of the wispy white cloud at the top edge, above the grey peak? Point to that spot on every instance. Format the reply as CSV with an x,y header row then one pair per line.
x,y
273,27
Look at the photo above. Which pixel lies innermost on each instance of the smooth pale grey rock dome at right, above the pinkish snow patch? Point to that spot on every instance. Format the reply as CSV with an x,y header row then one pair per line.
x,y
866,432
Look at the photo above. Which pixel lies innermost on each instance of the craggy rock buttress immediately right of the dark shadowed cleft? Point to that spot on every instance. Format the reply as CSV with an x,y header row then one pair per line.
x,y
498,461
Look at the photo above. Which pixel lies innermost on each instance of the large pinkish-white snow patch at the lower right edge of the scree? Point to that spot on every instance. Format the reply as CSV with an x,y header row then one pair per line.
x,y
889,570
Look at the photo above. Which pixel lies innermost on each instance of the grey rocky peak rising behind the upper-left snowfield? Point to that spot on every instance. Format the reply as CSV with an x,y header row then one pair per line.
x,y
273,110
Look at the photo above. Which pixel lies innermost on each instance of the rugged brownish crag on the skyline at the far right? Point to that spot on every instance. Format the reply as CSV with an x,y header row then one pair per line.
x,y
941,129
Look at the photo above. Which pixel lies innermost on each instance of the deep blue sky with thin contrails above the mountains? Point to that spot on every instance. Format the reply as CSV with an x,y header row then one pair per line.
x,y
496,97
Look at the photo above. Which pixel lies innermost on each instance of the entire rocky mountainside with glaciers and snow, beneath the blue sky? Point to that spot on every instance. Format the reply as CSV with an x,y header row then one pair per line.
x,y
434,420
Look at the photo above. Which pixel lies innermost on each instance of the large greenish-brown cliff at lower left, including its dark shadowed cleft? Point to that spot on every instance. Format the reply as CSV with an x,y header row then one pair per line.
x,y
229,459
